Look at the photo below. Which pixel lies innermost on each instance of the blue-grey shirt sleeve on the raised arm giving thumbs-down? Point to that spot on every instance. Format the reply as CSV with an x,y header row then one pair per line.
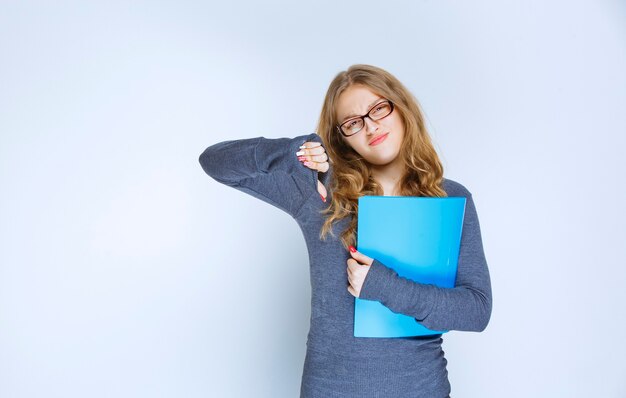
x,y
266,168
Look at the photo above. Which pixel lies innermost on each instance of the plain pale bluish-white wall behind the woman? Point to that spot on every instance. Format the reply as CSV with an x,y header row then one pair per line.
x,y
125,271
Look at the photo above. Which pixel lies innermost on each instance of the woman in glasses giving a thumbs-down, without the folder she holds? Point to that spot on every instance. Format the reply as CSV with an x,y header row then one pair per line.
x,y
374,143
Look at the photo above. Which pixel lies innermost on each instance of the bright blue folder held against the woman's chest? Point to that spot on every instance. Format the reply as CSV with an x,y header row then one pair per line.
x,y
419,238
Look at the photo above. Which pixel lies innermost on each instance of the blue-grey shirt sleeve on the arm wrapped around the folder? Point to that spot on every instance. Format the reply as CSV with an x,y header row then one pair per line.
x,y
466,306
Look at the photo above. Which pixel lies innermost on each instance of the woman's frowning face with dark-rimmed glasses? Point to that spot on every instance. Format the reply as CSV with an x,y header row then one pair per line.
x,y
357,100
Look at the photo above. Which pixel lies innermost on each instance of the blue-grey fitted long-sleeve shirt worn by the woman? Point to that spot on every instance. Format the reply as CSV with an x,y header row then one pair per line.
x,y
337,363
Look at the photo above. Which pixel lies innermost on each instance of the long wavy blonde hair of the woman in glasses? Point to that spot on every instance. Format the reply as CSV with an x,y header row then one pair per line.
x,y
351,177
